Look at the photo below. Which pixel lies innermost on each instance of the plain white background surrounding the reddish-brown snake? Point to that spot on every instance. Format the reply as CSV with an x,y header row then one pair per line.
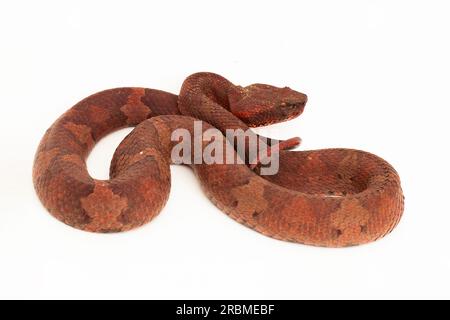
x,y
377,74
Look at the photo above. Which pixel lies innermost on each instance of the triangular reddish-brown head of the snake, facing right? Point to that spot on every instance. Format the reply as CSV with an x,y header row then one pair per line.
x,y
261,104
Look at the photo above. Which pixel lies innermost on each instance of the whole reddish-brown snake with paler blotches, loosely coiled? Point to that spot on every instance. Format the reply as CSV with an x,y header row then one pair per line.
x,y
335,197
